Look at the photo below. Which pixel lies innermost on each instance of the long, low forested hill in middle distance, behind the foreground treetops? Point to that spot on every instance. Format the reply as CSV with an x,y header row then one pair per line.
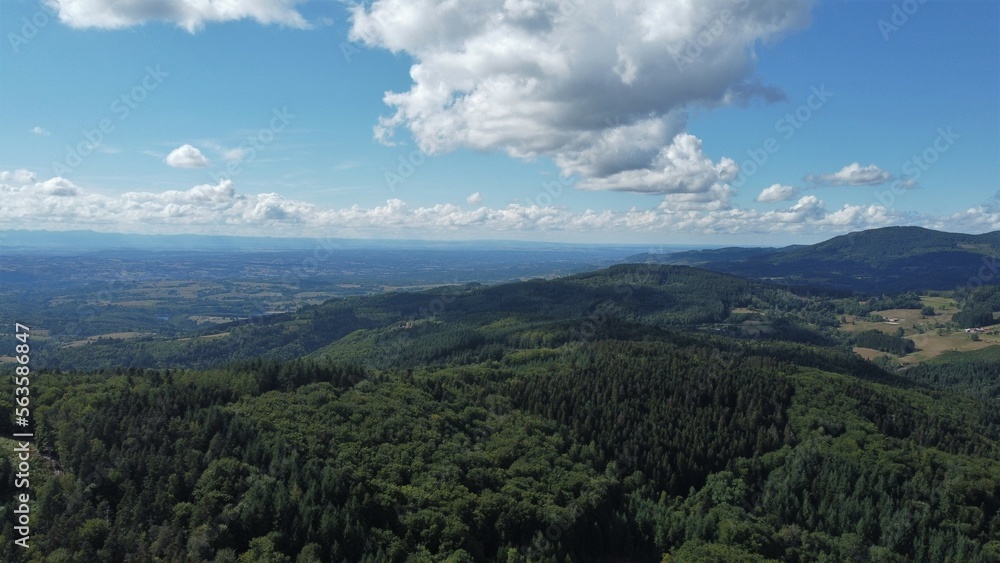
x,y
643,296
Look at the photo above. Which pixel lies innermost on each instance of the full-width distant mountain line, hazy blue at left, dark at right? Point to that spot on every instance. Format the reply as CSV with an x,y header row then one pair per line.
x,y
891,259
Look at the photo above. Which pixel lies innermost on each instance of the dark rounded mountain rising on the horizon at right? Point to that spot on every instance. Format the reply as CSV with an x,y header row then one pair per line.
x,y
890,259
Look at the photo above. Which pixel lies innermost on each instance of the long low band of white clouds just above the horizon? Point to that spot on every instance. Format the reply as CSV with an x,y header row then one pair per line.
x,y
56,202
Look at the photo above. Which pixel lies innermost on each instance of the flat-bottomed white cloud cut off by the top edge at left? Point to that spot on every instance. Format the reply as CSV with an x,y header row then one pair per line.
x,y
192,16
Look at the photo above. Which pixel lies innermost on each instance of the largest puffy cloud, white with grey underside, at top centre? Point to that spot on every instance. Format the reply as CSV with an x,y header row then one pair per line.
x,y
601,88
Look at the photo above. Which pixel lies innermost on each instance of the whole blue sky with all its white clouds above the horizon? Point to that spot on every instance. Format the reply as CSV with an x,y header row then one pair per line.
x,y
622,121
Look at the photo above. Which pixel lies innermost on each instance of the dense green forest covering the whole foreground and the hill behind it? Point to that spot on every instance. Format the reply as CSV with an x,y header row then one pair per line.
x,y
628,414
